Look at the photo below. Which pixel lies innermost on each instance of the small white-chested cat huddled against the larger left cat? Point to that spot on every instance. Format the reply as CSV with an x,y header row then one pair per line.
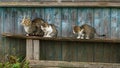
x,y
49,30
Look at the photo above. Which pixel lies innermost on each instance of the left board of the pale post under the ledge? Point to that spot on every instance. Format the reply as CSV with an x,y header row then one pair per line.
x,y
29,49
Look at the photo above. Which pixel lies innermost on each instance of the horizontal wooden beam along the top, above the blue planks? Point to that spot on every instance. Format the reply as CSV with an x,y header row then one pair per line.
x,y
59,4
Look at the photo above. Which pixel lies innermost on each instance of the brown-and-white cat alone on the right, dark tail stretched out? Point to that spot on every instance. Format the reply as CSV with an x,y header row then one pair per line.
x,y
85,32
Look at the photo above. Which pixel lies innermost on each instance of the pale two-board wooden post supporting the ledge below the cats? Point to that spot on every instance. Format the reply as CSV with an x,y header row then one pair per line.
x,y
32,49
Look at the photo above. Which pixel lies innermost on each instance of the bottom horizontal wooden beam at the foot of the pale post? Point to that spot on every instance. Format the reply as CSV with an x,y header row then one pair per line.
x,y
35,63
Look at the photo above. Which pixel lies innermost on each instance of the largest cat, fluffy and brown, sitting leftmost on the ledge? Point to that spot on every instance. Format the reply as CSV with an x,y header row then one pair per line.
x,y
33,27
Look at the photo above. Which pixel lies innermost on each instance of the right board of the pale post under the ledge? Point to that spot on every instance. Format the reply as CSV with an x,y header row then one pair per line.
x,y
36,45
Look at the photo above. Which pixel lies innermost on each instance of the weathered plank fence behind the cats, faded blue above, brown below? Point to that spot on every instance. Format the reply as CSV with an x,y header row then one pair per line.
x,y
105,20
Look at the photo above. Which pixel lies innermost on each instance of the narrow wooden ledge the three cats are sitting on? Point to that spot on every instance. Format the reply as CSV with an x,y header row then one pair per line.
x,y
18,36
